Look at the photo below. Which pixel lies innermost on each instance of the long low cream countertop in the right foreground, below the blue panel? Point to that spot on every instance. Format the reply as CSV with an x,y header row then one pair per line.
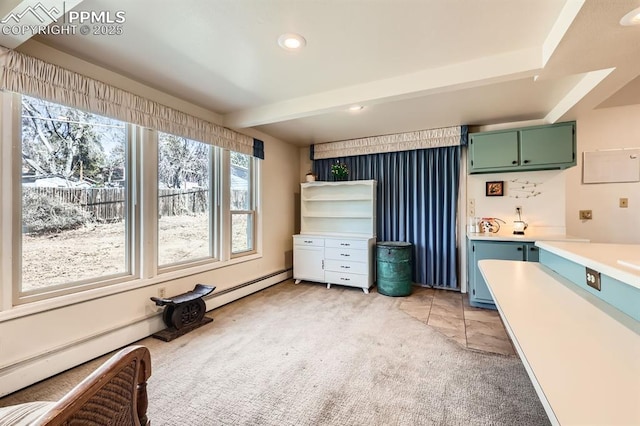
x,y
582,355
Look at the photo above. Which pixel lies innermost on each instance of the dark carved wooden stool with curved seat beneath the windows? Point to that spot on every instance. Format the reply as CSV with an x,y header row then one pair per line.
x,y
183,313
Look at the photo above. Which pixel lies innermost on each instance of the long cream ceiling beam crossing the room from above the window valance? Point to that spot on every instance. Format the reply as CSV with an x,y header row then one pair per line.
x,y
475,73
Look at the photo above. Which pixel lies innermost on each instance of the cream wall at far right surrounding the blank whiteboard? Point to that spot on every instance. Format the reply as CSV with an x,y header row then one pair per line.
x,y
608,128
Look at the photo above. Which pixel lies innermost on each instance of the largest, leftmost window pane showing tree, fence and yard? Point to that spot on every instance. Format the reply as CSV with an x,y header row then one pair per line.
x,y
74,196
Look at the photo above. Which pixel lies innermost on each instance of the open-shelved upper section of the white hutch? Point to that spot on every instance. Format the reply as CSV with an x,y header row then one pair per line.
x,y
338,208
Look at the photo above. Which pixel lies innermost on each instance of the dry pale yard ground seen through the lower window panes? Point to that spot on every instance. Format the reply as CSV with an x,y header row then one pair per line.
x,y
98,250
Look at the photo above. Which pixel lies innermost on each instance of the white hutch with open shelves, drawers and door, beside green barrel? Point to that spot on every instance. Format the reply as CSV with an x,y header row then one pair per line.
x,y
336,244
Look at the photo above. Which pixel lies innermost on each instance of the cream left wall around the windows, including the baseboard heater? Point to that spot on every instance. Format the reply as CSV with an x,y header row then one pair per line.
x,y
36,343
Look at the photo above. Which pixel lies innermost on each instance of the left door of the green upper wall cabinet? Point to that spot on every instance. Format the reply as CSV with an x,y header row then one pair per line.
x,y
493,150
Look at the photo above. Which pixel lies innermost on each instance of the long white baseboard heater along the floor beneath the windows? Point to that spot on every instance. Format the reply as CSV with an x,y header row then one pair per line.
x,y
33,370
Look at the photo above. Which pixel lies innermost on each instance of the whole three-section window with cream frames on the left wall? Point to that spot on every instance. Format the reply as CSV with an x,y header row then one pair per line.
x,y
97,202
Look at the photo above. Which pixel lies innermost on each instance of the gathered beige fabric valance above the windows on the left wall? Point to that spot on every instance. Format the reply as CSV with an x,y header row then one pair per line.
x,y
33,77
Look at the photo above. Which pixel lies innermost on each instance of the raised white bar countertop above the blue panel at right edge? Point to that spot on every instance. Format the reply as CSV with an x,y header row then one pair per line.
x,y
601,257
